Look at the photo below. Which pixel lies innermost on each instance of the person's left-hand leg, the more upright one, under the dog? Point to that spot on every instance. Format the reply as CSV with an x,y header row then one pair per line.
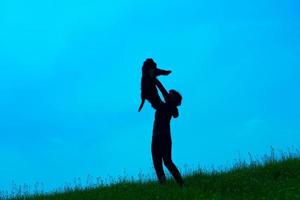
x,y
156,150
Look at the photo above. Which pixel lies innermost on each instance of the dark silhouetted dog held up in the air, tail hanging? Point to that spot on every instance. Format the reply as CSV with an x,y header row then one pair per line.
x,y
148,88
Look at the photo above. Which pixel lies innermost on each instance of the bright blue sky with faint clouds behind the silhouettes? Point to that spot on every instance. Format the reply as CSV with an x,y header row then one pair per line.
x,y
70,84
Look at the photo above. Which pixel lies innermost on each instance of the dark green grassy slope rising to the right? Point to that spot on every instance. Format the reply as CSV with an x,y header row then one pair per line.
x,y
270,179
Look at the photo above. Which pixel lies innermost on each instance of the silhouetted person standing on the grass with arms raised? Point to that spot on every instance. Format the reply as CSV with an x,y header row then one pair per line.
x,y
161,146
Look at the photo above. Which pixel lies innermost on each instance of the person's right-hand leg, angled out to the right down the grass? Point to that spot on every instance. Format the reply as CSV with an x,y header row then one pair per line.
x,y
167,158
